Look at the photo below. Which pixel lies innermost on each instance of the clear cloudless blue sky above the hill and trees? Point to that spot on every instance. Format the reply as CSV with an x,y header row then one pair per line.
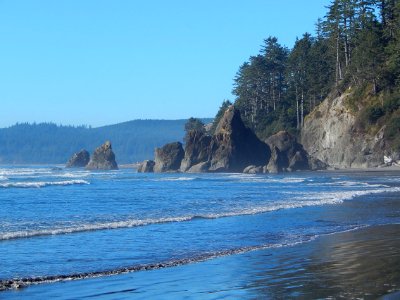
x,y
98,62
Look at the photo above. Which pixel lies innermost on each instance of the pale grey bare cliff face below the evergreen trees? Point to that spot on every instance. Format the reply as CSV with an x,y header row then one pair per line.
x,y
331,135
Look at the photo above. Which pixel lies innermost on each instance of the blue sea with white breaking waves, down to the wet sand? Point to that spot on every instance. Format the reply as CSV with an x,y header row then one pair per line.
x,y
61,224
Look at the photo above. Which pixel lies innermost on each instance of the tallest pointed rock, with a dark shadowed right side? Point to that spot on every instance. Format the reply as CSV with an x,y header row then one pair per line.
x,y
234,146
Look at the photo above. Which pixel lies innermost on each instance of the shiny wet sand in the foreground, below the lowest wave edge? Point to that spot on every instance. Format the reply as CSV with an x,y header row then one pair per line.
x,y
364,263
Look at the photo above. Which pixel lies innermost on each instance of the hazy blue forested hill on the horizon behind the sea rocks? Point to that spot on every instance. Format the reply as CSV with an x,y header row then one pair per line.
x,y
49,143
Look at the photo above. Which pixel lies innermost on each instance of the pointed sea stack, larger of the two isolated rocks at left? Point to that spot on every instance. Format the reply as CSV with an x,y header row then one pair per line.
x,y
103,158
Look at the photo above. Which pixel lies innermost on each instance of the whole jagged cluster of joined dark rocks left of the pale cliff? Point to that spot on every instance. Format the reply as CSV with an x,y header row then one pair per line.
x,y
233,148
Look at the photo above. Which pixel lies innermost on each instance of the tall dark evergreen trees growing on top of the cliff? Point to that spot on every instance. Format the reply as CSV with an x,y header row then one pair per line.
x,y
356,46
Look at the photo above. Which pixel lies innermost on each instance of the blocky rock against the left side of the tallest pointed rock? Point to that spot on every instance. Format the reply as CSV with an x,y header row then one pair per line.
x,y
197,150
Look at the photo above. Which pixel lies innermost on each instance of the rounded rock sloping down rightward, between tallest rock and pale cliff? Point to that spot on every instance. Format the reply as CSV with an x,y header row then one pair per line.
x,y
289,155
